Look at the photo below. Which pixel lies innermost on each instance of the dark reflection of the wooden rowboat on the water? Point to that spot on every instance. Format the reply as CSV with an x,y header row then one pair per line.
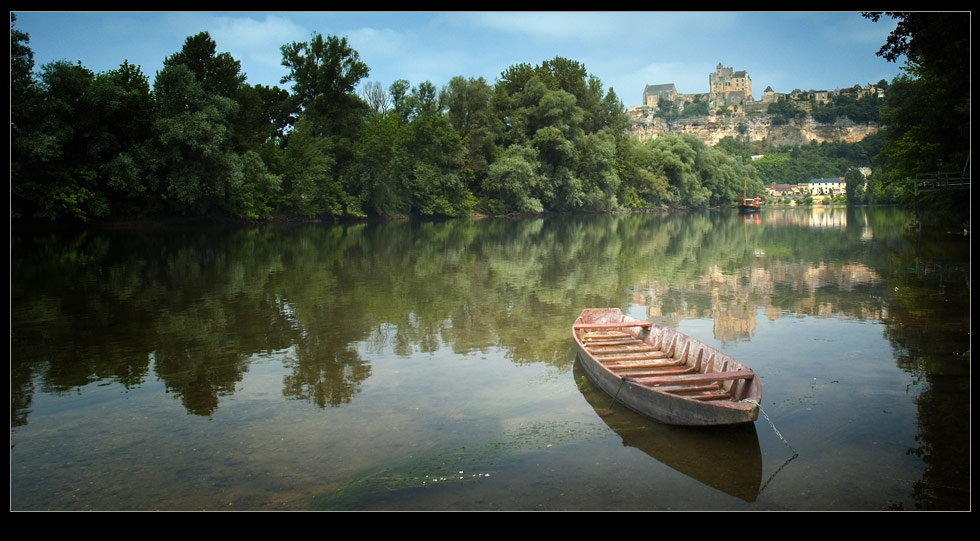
x,y
726,458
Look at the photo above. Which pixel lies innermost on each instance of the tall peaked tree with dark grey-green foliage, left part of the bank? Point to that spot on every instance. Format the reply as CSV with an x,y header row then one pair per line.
x,y
214,133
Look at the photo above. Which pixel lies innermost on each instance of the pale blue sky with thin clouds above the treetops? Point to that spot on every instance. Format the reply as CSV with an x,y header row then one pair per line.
x,y
626,50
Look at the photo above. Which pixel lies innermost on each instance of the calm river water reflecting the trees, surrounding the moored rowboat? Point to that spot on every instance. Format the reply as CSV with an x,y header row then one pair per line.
x,y
430,365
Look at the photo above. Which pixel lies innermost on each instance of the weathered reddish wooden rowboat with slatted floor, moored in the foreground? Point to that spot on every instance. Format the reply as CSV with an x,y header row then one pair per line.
x,y
664,374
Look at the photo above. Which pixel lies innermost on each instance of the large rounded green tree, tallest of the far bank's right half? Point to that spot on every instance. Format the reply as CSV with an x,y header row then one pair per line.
x,y
557,120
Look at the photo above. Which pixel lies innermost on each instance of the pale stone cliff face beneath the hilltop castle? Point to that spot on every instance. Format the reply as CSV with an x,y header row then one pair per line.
x,y
712,129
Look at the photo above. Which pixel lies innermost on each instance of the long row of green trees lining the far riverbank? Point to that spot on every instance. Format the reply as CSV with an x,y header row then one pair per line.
x,y
200,141
